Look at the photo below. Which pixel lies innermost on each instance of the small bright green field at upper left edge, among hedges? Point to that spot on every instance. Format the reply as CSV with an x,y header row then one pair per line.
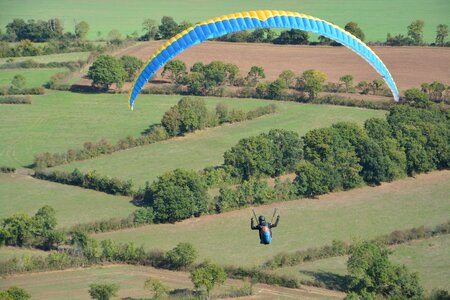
x,y
33,77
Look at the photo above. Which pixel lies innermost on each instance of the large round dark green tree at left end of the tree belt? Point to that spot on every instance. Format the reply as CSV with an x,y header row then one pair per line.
x,y
177,195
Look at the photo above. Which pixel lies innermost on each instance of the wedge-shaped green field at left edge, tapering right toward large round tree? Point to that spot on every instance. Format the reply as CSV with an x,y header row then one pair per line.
x,y
19,193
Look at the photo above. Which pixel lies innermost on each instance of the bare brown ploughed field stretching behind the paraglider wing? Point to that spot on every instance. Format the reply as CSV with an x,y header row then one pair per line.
x,y
410,66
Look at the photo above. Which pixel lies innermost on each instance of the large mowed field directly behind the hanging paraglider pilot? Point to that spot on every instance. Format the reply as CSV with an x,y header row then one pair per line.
x,y
362,213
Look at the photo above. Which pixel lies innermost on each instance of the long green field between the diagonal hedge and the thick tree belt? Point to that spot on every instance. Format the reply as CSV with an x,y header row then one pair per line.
x,y
206,148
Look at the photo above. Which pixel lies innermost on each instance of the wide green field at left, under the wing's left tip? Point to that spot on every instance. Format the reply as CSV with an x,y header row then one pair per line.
x,y
61,120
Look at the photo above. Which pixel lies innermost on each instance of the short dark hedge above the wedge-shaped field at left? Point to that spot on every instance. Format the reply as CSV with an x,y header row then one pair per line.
x,y
90,180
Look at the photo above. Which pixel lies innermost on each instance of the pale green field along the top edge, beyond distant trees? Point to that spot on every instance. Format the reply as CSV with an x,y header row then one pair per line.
x,y
376,18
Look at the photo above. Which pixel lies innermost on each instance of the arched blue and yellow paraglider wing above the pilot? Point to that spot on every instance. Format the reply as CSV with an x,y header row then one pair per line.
x,y
251,20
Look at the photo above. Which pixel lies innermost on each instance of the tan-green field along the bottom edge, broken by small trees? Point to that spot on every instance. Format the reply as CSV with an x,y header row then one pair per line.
x,y
74,284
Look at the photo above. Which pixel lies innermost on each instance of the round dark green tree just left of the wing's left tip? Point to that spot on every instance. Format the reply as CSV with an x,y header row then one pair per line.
x,y
105,71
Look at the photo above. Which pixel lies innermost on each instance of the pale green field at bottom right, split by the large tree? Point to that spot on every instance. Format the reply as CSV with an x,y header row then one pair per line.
x,y
427,257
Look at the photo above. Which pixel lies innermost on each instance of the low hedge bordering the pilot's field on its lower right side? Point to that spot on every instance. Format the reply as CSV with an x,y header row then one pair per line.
x,y
339,248
